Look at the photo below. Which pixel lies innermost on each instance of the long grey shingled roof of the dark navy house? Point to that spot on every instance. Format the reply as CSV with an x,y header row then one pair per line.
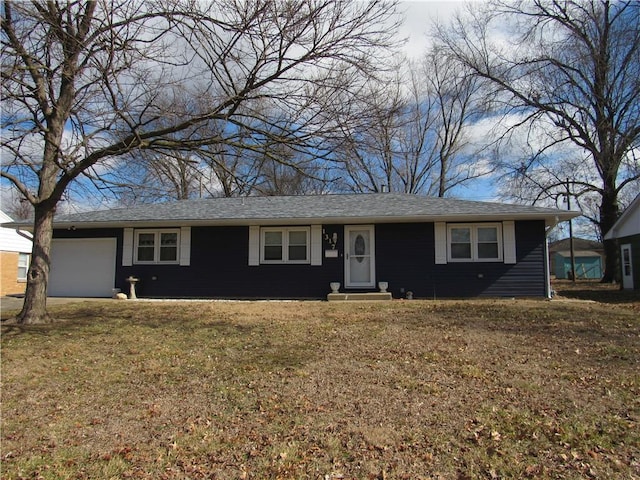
x,y
337,208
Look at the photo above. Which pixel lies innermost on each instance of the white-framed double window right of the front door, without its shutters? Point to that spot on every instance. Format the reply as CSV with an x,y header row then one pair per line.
x,y
481,242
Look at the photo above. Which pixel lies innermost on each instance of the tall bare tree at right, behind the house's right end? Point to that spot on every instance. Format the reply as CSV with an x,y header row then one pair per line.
x,y
572,66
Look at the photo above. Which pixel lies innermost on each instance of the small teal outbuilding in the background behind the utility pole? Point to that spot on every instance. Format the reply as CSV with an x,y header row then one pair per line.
x,y
588,257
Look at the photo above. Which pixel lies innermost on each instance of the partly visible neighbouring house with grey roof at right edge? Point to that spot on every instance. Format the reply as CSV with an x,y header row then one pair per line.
x,y
627,233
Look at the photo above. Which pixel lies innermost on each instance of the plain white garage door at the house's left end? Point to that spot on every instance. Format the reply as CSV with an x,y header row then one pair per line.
x,y
82,267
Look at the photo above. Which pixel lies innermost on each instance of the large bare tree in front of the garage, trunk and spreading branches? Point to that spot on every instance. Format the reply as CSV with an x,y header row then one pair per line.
x,y
84,82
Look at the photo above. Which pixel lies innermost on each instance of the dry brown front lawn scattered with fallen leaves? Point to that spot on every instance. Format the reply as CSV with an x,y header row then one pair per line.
x,y
391,390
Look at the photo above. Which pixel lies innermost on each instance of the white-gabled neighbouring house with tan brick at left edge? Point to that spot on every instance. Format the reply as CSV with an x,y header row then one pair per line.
x,y
15,251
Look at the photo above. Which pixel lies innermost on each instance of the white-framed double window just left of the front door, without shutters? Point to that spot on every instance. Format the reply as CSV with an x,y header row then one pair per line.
x,y
284,245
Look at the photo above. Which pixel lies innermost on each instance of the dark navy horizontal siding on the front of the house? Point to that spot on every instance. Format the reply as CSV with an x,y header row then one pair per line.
x,y
405,258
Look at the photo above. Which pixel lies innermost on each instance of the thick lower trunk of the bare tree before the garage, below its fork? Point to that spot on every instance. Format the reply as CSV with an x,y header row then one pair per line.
x,y
34,309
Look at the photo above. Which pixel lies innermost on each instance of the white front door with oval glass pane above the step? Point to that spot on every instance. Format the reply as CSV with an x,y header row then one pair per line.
x,y
359,256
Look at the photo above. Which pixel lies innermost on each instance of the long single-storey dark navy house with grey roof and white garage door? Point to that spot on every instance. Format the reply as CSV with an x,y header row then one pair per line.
x,y
294,247
